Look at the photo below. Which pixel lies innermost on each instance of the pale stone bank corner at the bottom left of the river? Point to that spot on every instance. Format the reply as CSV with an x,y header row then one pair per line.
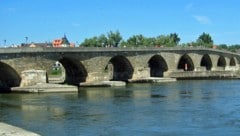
x,y
9,130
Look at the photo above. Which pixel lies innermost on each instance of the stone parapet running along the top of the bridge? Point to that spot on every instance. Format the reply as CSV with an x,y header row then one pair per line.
x,y
112,49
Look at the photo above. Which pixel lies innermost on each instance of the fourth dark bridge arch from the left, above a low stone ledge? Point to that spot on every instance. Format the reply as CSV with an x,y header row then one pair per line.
x,y
157,66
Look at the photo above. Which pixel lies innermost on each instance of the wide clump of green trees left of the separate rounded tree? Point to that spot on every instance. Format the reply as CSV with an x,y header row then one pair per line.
x,y
114,39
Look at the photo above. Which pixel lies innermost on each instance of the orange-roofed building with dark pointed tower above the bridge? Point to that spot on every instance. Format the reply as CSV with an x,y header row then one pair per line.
x,y
63,42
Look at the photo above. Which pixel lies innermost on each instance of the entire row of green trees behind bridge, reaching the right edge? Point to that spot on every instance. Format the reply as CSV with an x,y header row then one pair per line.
x,y
114,39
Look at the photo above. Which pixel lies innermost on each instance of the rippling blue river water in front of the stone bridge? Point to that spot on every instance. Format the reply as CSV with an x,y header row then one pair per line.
x,y
204,107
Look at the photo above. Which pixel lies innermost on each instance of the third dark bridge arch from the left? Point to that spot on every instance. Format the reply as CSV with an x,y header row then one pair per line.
x,y
122,68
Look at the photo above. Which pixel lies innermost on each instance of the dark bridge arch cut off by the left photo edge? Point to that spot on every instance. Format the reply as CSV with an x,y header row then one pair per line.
x,y
8,78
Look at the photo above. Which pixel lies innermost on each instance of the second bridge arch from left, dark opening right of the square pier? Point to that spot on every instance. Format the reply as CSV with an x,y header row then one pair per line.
x,y
75,71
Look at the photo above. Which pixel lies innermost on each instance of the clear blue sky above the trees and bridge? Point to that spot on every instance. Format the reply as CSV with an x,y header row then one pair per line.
x,y
45,20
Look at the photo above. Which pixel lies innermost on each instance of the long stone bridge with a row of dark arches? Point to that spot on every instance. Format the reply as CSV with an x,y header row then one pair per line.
x,y
121,64
